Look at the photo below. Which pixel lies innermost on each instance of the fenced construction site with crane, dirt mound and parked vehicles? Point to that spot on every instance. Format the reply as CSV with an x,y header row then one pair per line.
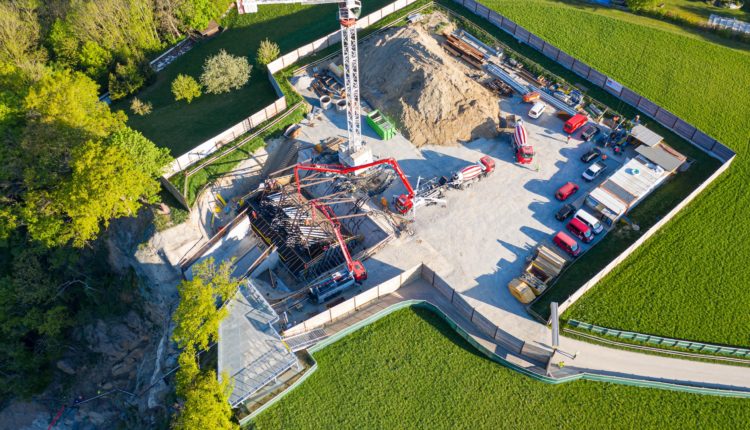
x,y
452,169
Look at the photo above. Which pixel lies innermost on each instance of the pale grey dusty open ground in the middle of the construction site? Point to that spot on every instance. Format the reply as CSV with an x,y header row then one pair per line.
x,y
481,240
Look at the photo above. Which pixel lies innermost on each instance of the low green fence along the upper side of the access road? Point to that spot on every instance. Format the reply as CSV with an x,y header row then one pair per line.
x,y
662,341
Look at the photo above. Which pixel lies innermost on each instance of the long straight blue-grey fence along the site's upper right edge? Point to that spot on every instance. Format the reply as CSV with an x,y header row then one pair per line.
x,y
662,116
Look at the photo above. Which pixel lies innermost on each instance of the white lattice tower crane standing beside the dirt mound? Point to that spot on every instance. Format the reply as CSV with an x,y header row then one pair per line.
x,y
353,153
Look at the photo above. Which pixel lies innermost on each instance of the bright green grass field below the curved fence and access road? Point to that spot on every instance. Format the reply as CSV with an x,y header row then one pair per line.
x,y
411,370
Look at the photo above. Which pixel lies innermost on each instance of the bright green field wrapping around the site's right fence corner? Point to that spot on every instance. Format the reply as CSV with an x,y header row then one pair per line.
x,y
689,281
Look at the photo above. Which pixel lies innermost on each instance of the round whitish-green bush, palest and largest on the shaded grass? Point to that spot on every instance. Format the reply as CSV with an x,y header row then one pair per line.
x,y
224,72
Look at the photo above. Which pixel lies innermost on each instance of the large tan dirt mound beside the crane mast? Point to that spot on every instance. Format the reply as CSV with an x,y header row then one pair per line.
x,y
406,73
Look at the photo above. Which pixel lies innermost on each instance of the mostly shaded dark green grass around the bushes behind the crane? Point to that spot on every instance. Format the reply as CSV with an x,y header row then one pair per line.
x,y
180,126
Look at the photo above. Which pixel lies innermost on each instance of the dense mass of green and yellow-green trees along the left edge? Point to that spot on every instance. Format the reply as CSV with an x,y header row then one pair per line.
x,y
70,165
